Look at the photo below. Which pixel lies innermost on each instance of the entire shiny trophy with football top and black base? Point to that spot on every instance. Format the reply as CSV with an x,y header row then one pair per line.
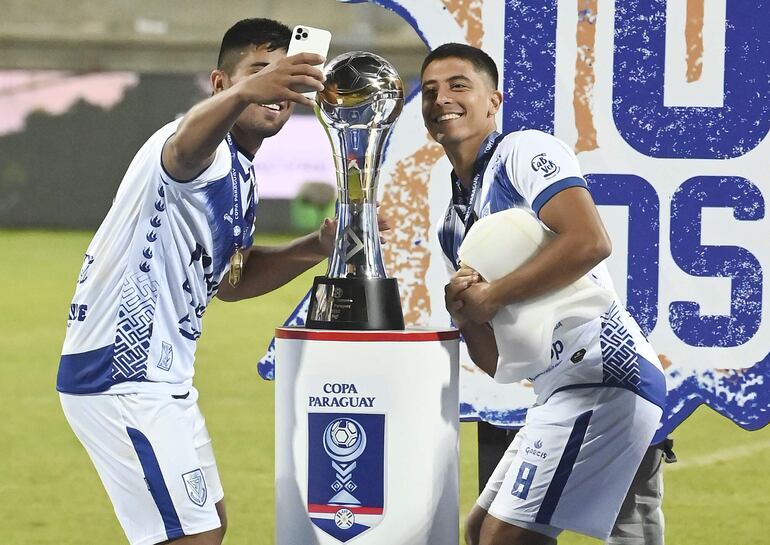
x,y
362,98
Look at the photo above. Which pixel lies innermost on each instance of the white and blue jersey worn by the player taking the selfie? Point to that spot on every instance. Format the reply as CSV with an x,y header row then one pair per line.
x,y
151,270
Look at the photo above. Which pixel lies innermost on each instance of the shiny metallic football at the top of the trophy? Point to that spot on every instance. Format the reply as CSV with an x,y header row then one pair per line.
x,y
361,90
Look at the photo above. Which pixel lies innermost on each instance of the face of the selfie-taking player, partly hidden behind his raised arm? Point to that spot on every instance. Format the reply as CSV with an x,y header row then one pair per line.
x,y
264,120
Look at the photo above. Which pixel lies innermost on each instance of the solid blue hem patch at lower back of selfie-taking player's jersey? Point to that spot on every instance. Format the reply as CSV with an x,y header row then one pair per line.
x,y
87,372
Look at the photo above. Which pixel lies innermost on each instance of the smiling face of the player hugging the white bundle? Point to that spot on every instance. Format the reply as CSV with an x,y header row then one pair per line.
x,y
458,102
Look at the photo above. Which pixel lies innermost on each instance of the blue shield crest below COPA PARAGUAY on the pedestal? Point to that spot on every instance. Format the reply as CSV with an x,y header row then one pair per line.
x,y
346,472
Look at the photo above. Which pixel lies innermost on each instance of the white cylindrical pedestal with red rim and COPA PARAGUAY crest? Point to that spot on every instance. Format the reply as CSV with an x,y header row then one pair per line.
x,y
366,437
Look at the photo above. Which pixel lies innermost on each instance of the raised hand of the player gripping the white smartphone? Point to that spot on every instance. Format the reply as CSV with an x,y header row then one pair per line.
x,y
279,80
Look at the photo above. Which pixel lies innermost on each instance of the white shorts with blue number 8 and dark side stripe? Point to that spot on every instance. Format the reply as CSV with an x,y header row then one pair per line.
x,y
570,466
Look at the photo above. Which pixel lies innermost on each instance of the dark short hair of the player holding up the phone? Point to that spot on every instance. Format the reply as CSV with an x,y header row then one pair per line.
x,y
256,32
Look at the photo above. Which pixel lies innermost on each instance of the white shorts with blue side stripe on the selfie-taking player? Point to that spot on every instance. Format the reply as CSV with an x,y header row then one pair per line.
x,y
154,457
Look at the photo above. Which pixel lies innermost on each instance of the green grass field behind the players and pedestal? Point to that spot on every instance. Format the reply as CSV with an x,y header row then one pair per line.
x,y
50,494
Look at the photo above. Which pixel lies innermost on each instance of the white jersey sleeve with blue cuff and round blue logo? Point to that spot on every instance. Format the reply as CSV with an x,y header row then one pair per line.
x,y
540,166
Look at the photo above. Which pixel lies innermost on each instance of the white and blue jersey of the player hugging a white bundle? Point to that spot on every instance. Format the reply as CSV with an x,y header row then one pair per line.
x,y
524,170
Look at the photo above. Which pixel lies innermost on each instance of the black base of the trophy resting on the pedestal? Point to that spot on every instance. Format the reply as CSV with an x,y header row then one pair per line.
x,y
355,304
